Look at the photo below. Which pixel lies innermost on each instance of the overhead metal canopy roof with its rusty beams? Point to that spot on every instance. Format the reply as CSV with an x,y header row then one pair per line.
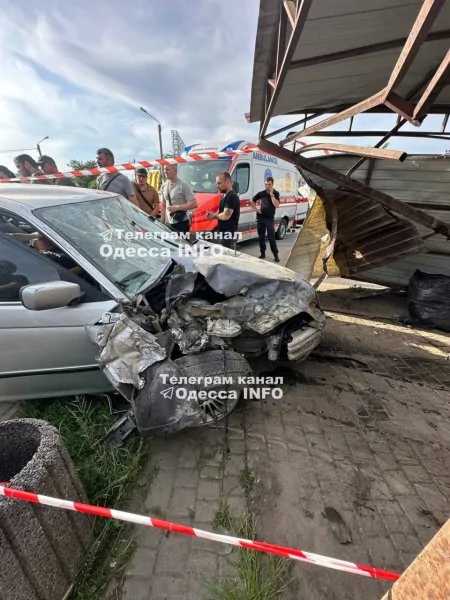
x,y
322,56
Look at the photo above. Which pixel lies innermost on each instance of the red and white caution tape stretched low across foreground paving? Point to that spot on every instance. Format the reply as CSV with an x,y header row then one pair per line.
x,y
98,511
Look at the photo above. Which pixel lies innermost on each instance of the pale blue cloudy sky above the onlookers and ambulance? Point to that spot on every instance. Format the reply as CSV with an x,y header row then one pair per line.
x,y
78,72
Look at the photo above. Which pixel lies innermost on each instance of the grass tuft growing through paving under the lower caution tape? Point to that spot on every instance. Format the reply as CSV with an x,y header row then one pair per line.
x,y
258,576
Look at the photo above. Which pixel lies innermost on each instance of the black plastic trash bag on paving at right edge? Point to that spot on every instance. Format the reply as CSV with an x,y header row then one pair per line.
x,y
429,299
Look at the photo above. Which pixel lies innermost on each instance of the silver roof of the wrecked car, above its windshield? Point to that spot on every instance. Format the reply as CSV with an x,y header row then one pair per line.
x,y
38,196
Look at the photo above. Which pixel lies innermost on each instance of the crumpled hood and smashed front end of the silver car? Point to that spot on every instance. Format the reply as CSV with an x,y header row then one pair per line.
x,y
259,296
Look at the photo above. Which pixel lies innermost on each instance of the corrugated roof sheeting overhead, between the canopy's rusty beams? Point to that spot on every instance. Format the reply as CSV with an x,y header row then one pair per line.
x,y
341,26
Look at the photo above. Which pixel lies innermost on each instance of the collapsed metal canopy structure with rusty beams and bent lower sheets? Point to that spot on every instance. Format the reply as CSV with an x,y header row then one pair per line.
x,y
315,58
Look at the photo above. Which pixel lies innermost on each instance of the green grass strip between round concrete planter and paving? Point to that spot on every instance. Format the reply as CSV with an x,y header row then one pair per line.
x,y
106,474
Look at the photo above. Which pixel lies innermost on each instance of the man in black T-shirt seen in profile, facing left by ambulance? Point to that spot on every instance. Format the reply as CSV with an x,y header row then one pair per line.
x,y
229,211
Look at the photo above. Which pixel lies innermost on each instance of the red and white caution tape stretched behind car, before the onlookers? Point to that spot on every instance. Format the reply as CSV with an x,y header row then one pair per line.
x,y
177,160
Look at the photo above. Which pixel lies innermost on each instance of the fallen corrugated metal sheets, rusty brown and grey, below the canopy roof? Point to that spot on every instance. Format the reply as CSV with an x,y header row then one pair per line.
x,y
423,181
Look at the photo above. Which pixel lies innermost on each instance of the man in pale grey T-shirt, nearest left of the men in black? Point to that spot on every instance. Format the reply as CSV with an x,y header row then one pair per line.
x,y
177,198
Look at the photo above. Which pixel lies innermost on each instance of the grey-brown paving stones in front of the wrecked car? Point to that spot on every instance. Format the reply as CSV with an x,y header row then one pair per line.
x,y
353,462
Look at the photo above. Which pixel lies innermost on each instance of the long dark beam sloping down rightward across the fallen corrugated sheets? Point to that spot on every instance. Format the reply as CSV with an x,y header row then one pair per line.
x,y
324,172
